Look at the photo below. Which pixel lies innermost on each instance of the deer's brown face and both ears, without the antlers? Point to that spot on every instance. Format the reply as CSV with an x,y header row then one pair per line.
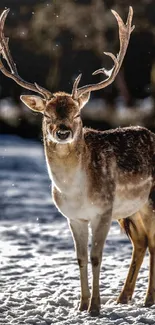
x,y
61,115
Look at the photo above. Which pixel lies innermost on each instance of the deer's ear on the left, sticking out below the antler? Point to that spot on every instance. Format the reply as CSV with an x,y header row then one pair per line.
x,y
35,103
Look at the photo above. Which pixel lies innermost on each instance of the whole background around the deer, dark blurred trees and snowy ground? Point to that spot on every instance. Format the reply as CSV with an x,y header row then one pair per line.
x,y
51,43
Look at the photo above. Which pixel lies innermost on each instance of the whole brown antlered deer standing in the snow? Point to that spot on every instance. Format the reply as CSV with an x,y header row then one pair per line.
x,y
97,176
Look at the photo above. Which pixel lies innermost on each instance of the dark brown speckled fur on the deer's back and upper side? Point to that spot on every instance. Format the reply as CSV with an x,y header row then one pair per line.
x,y
132,148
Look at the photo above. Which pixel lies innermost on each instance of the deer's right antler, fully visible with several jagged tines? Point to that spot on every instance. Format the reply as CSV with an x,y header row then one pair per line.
x,y
124,35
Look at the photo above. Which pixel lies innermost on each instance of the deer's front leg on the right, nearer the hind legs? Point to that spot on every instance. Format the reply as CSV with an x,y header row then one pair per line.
x,y
100,227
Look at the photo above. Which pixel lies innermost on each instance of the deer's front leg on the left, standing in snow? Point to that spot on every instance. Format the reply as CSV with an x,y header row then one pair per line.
x,y
80,235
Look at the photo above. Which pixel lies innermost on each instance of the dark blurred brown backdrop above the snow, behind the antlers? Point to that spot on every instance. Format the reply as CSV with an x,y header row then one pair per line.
x,y
53,41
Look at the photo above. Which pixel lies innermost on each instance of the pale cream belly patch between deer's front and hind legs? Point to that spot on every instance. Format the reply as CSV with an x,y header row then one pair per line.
x,y
130,198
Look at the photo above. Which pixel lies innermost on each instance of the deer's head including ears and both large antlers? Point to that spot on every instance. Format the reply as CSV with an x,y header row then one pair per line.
x,y
61,111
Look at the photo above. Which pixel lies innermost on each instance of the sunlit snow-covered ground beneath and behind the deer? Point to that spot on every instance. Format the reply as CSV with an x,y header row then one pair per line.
x,y
39,277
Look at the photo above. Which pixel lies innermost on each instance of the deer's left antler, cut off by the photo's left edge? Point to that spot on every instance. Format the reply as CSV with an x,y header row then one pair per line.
x,y
13,74
